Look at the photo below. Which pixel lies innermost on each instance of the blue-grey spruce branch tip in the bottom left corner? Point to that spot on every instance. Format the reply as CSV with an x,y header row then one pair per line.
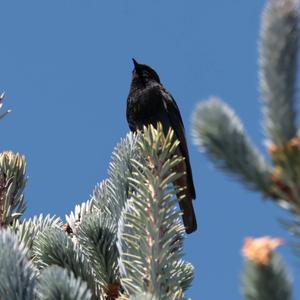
x,y
17,274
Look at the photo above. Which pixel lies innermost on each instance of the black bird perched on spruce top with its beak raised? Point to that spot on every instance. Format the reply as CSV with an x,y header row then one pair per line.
x,y
149,102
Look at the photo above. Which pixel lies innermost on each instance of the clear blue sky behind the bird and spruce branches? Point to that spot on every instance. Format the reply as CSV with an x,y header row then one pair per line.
x,y
66,66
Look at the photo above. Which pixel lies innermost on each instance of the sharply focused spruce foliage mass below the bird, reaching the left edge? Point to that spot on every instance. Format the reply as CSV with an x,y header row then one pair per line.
x,y
92,256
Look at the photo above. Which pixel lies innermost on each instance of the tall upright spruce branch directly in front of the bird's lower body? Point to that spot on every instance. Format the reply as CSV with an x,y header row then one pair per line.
x,y
150,234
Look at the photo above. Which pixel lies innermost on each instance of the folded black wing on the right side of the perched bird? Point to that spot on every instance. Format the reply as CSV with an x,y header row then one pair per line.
x,y
178,127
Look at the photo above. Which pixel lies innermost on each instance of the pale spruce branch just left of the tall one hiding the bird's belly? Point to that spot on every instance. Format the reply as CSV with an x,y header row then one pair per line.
x,y
93,223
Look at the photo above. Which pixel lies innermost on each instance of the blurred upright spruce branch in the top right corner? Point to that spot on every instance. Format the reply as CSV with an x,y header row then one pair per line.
x,y
278,62
